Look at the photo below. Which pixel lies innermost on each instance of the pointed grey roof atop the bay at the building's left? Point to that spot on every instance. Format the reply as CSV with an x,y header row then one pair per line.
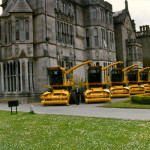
x,y
21,6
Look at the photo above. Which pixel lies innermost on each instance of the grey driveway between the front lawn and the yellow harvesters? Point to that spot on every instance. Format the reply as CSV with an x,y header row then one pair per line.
x,y
91,110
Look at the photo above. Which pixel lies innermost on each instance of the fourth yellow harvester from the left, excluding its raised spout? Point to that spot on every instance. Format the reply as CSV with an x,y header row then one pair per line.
x,y
134,82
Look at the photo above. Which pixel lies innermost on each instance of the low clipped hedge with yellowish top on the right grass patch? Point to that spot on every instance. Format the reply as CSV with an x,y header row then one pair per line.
x,y
141,99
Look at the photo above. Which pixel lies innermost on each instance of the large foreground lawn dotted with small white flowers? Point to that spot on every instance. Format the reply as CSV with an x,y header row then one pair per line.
x,y
27,131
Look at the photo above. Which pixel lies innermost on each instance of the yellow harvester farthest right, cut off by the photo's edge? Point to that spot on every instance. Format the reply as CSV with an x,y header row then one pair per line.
x,y
144,78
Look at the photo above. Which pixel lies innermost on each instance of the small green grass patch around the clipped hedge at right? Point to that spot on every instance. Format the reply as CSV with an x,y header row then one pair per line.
x,y
127,104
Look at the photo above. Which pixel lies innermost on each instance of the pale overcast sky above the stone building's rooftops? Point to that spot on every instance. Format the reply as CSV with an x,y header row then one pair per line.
x,y
139,10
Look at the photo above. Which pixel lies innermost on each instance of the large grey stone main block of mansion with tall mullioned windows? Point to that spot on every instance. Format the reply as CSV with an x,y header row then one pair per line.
x,y
37,34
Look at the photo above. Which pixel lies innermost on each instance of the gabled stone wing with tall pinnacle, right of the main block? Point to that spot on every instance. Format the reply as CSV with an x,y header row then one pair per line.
x,y
128,48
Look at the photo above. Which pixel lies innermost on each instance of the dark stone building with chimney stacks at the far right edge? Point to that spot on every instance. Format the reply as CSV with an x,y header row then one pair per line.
x,y
144,37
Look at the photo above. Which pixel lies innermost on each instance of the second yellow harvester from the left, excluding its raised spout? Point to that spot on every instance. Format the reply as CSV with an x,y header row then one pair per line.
x,y
95,91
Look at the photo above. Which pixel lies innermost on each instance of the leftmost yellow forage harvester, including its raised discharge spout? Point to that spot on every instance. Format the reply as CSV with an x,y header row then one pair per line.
x,y
61,89
